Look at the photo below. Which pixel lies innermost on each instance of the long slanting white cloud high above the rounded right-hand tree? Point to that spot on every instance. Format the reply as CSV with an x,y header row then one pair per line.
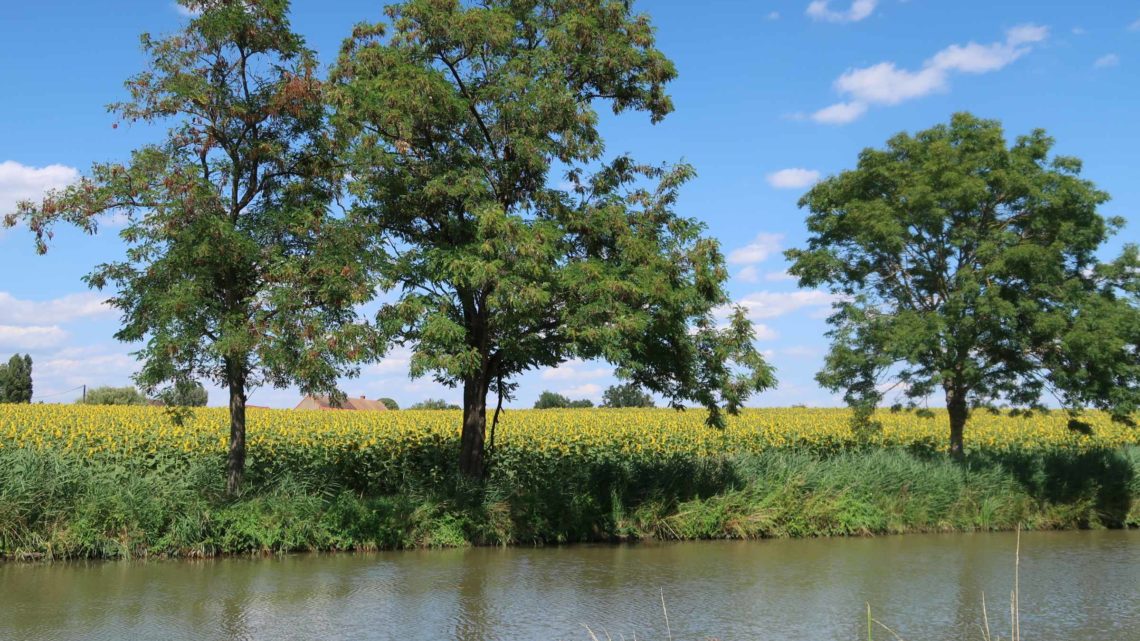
x,y
886,84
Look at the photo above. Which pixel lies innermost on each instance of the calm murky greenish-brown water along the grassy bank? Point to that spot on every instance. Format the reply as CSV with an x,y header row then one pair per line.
x,y
927,588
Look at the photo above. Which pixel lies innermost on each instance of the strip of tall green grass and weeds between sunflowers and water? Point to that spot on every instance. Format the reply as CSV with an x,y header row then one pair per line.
x,y
53,506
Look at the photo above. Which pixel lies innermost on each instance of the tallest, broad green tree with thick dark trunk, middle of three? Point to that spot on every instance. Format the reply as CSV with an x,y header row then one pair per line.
x,y
457,121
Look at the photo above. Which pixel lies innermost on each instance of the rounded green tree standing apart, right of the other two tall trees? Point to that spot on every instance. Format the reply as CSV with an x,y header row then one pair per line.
x,y
971,267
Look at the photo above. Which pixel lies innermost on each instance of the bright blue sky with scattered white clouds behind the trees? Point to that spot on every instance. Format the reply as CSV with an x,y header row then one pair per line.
x,y
770,98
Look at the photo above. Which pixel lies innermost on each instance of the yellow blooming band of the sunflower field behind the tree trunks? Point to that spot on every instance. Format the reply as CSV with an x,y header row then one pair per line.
x,y
133,433
